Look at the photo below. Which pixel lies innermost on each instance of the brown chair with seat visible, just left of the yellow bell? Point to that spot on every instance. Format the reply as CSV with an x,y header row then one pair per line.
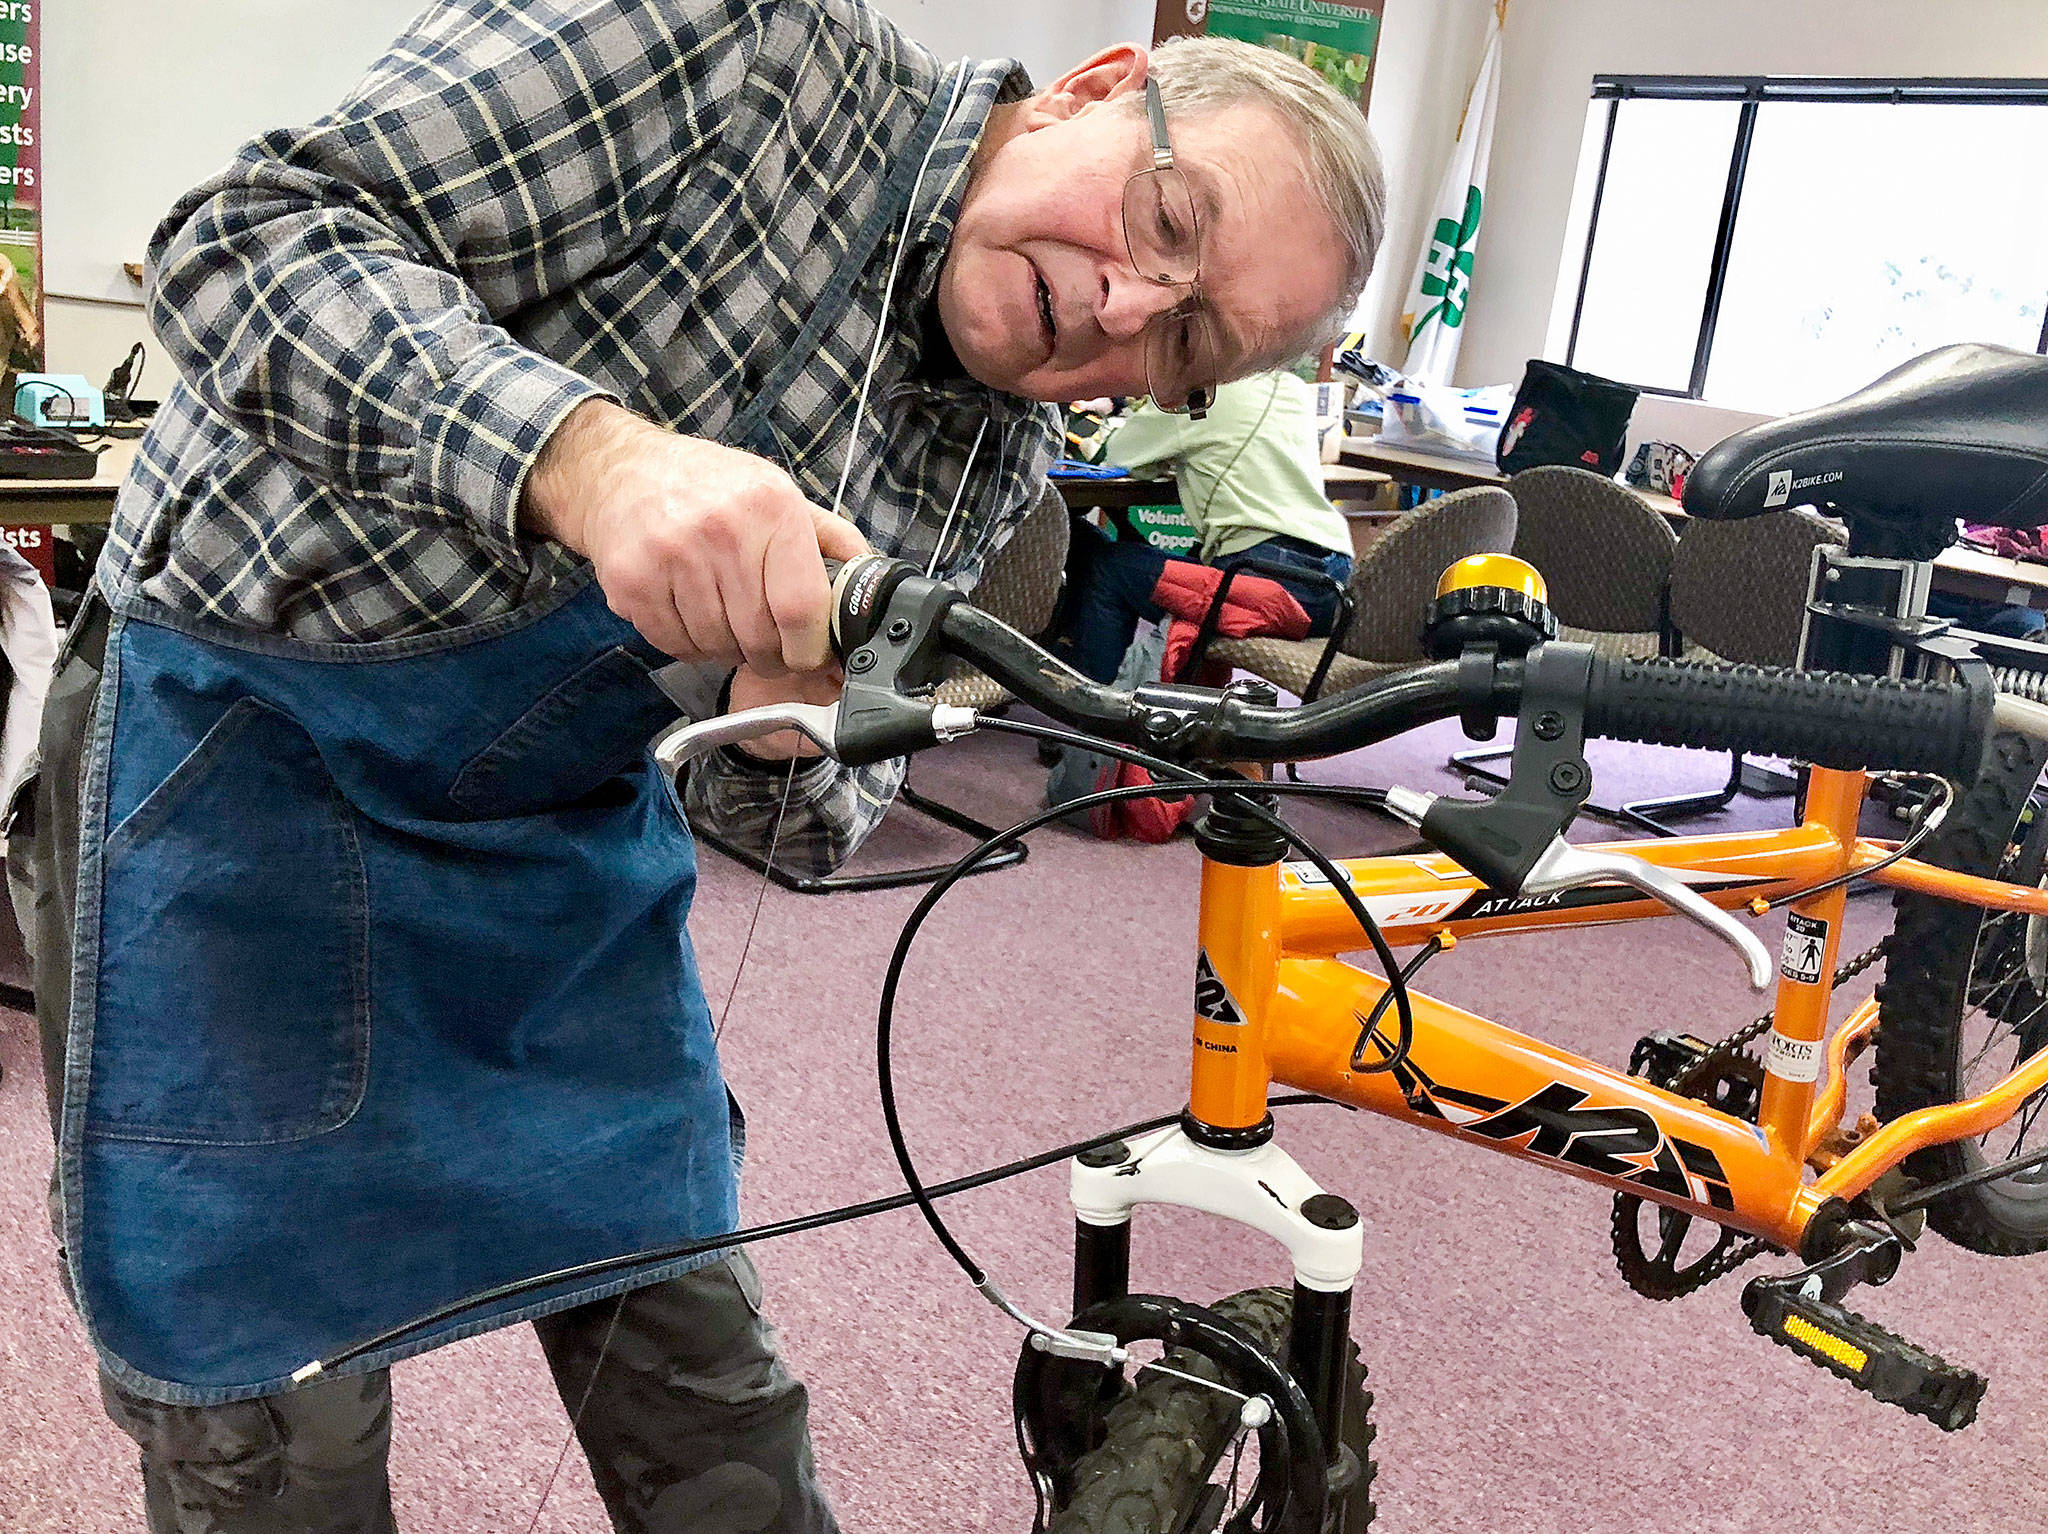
x,y
1392,591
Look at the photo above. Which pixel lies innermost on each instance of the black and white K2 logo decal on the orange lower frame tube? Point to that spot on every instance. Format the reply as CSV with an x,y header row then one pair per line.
x,y
1623,1144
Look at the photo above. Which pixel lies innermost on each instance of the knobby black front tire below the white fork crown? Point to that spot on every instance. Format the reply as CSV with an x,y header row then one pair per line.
x,y
1175,1461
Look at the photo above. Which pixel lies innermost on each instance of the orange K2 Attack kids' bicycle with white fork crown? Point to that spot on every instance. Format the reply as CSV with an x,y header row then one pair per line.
x,y
1150,1412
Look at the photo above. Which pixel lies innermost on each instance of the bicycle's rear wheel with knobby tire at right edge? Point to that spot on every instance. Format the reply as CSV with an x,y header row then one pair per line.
x,y
1965,1000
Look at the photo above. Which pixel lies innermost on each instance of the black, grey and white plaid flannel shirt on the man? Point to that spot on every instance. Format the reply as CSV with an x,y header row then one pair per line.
x,y
382,316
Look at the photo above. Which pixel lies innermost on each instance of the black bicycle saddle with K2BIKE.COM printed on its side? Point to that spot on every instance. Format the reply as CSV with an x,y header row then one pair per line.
x,y
1961,431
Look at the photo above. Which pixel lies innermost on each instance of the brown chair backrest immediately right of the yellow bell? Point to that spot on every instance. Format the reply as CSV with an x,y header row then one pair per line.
x,y
1603,552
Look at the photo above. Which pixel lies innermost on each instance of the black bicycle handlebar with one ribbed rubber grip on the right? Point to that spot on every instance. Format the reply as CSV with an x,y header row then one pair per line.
x,y
1824,718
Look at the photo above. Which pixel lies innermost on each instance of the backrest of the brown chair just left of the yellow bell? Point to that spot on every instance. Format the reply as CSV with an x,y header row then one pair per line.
x,y
1396,579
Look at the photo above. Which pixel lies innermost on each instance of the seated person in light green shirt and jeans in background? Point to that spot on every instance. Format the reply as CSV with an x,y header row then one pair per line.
x,y
1252,484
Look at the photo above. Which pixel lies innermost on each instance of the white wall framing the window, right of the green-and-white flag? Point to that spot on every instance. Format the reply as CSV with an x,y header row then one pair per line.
x,y
1555,48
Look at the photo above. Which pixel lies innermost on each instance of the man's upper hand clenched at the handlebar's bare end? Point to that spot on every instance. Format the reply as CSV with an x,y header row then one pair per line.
x,y
712,554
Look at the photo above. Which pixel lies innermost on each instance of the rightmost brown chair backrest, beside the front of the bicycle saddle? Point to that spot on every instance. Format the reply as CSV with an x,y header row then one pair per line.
x,y
1740,589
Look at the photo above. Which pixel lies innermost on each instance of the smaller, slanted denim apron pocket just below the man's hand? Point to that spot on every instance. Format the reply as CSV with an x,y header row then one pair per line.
x,y
581,734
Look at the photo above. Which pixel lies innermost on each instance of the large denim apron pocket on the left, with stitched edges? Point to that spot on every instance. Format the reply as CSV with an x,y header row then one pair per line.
x,y
234,949
